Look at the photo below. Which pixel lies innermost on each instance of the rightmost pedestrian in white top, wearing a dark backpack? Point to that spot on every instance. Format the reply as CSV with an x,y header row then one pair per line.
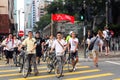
x,y
106,34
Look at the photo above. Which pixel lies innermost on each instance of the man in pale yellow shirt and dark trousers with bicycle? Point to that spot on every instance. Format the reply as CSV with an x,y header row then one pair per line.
x,y
30,42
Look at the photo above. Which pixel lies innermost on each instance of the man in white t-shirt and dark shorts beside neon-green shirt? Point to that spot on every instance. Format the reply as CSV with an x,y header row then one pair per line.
x,y
73,48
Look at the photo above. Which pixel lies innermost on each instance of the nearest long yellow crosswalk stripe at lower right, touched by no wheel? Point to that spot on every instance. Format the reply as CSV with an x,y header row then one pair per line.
x,y
92,76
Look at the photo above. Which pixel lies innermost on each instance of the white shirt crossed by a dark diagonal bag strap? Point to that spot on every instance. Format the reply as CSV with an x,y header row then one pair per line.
x,y
58,47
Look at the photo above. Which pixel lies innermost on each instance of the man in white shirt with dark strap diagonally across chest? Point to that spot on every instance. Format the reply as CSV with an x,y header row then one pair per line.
x,y
59,46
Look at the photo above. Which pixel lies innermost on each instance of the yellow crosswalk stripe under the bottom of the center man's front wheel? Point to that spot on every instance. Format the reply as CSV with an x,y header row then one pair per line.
x,y
52,75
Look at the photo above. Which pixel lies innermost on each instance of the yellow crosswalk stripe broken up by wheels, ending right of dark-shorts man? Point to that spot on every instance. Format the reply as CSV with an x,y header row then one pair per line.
x,y
8,75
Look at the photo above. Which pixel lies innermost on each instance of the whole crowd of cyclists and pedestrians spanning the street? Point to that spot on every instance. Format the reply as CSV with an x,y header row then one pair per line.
x,y
35,47
